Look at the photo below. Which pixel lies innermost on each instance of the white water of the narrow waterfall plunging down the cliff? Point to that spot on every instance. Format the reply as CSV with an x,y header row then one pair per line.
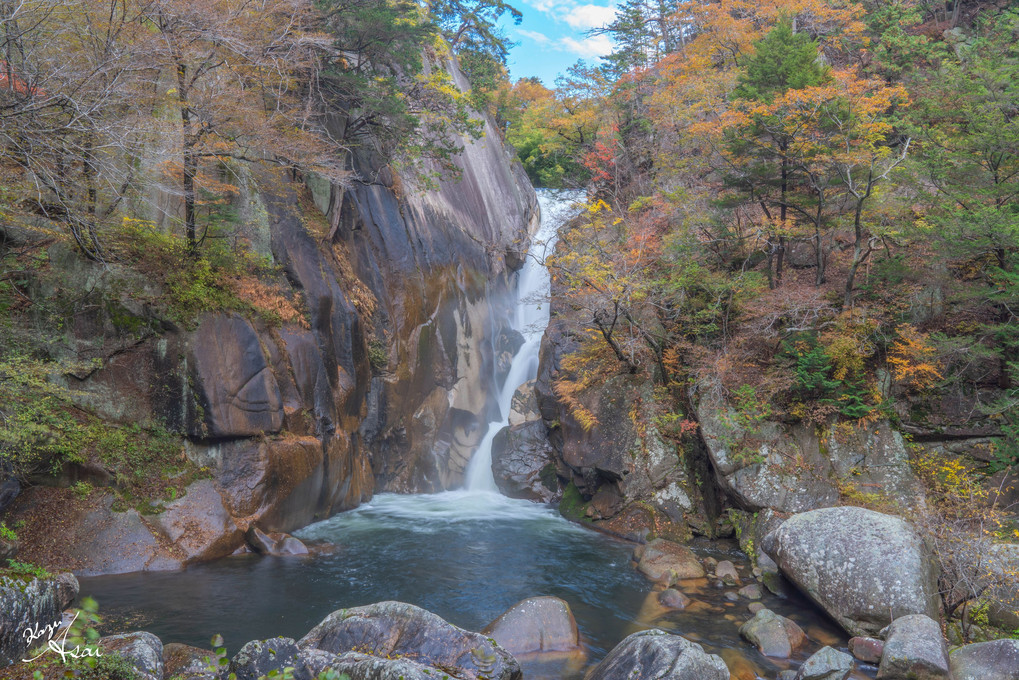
x,y
530,321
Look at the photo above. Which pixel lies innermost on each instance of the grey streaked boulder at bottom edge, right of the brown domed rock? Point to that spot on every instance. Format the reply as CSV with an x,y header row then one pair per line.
x,y
655,654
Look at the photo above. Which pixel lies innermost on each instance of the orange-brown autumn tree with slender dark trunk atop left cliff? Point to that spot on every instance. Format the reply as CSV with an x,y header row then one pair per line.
x,y
232,71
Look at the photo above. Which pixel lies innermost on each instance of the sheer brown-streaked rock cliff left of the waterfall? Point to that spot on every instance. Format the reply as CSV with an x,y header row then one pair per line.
x,y
383,383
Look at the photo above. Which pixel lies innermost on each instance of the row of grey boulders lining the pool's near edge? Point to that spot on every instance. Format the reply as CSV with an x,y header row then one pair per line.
x,y
395,641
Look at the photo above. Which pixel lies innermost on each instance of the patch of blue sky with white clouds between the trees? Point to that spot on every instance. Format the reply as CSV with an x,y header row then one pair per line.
x,y
554,35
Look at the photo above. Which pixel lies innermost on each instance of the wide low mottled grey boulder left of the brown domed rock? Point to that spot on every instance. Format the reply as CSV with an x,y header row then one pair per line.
x,y
397,630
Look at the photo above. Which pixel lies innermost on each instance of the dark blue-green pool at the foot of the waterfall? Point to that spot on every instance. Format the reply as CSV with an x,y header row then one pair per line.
x,y
466,556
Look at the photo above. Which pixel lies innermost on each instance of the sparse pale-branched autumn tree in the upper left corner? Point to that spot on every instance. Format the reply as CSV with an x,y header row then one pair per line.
x,y
67,124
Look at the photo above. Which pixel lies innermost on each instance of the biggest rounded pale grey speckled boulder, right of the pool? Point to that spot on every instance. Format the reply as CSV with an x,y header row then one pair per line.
x,y
865,568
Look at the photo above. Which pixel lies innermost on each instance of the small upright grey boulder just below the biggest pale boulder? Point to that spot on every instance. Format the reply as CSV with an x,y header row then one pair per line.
x,y
915,650
